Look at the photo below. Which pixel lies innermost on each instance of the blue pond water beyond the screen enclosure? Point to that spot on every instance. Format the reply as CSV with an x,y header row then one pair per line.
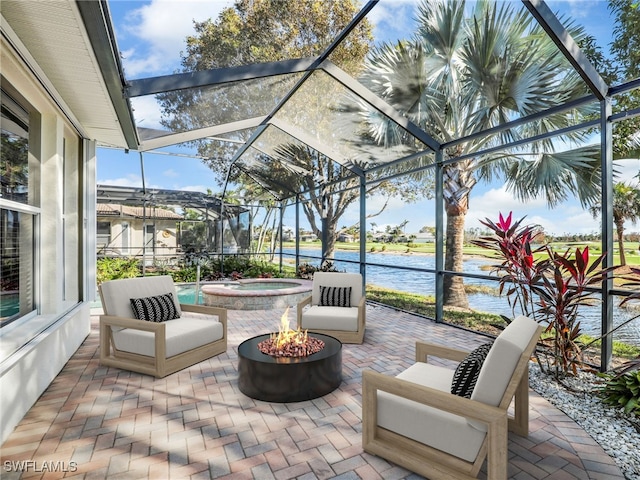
x,y
390,276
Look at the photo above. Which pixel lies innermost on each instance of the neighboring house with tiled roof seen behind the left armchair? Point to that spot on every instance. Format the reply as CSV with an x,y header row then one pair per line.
x,y
124,230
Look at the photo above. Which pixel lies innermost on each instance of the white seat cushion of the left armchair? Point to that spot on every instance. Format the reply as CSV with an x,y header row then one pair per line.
x,y
183,334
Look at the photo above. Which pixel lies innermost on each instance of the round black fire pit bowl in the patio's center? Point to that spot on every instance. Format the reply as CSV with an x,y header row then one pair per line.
x,y
289,379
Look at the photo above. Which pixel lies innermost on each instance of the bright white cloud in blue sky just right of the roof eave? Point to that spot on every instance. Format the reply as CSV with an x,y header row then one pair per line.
x,y
159,29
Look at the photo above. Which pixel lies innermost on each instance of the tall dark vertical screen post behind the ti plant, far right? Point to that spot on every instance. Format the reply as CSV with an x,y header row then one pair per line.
x,y
606,159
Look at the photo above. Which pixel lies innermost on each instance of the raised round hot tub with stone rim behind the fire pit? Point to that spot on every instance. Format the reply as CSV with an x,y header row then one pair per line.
x,y
256,293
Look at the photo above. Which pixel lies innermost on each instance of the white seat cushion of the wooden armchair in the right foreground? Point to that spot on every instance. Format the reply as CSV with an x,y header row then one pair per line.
x,y
428,425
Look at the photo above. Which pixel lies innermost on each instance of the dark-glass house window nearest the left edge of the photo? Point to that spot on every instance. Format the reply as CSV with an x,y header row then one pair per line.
x,y
18,218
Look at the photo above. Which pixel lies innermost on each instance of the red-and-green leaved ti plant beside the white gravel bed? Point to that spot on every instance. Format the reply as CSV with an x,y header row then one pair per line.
x,y
545,285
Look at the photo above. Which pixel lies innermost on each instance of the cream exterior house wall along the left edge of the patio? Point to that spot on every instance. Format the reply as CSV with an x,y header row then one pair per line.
x,y
36,345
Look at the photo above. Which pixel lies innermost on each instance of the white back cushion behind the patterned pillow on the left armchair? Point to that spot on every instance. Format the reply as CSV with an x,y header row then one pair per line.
x,y
116,295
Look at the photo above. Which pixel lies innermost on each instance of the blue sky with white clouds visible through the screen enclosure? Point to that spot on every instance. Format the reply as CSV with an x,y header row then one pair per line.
x,y
151,35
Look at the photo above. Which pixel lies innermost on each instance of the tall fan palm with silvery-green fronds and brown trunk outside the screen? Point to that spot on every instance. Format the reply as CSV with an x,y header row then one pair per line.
x,y
462,75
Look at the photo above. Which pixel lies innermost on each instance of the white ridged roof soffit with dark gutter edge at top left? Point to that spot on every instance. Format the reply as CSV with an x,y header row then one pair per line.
x,y
56,39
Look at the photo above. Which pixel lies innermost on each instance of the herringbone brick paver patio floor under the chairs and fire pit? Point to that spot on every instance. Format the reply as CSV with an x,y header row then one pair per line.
x,y
98,423
